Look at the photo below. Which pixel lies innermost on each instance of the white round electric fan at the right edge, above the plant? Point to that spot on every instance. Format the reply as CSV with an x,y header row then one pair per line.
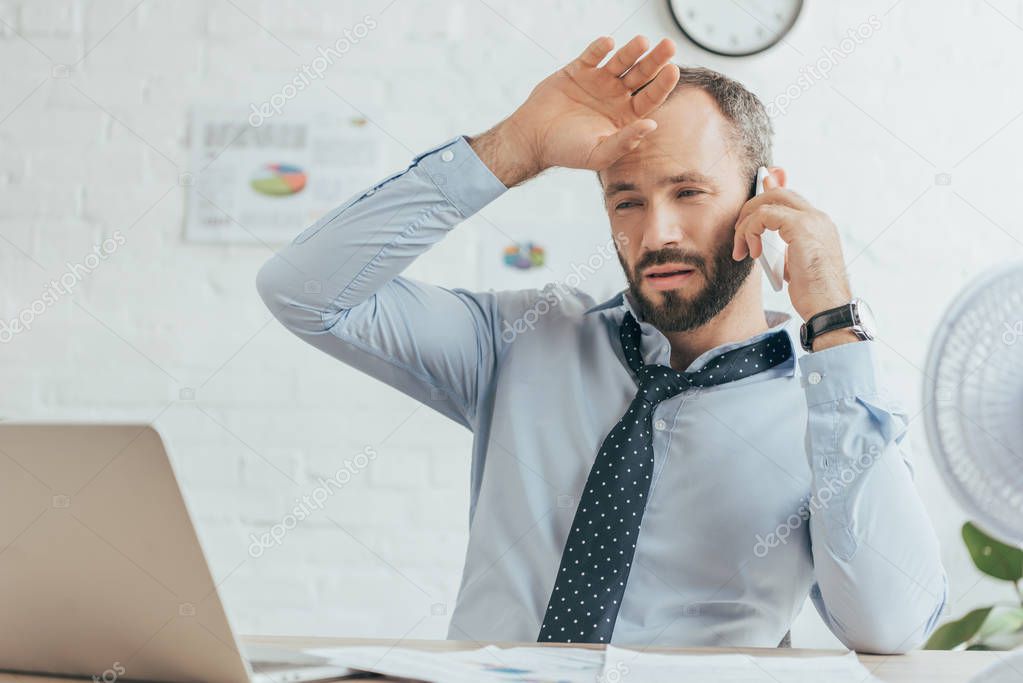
x,y
973,402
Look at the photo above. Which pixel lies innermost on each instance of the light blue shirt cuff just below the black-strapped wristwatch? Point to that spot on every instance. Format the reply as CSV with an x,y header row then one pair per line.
x,y
838,373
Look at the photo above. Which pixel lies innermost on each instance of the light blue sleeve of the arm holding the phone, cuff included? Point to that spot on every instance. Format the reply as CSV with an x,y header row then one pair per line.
x,y
880,585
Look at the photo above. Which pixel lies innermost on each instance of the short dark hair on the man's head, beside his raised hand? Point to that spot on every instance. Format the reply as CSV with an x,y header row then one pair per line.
x,y
752,127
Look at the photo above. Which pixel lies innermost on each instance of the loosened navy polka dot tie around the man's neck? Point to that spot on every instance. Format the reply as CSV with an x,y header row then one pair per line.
x,y
599,553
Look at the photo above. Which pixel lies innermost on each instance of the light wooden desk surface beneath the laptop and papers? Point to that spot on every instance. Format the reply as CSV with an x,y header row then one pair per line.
x,y
932,667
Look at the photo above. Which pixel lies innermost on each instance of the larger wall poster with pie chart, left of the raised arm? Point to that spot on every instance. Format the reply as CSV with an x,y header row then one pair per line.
x,y
268,179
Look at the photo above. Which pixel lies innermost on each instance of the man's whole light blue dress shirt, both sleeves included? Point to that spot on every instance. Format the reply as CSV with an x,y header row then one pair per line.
x,y
790,483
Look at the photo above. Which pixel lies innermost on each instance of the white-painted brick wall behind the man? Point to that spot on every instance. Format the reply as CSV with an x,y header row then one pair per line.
x,y
94,141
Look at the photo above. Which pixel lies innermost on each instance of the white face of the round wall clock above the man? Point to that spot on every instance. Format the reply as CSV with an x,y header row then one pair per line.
x,y
735,28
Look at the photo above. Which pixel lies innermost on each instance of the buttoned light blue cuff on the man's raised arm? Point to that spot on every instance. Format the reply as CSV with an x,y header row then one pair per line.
x,y
461,175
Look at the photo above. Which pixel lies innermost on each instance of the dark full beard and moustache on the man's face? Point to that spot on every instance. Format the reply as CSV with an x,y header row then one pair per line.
x,y
676,313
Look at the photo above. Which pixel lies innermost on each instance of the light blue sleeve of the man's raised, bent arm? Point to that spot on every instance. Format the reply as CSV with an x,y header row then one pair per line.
x,y
338,285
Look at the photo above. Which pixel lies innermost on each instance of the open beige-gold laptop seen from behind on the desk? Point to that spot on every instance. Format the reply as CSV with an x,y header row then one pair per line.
x,y
102,573
